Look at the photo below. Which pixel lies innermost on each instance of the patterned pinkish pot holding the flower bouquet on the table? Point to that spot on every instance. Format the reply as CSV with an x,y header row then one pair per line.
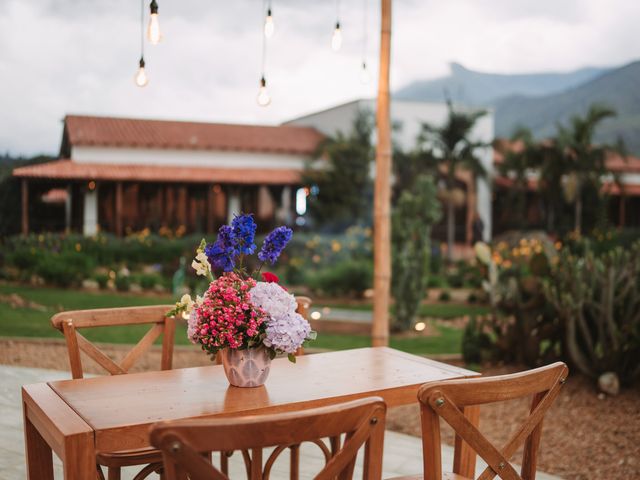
x,y
246,368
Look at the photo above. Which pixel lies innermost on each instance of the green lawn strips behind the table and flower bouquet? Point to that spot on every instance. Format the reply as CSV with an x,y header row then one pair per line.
x,y
28,322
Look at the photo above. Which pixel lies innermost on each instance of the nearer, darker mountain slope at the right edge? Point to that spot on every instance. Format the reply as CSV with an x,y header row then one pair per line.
x,y
618,89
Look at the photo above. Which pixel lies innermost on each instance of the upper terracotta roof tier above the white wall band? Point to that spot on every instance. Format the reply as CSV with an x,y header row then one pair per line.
x,y
128,132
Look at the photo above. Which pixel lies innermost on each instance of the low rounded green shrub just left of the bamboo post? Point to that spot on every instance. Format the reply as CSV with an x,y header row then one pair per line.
x,y
348,278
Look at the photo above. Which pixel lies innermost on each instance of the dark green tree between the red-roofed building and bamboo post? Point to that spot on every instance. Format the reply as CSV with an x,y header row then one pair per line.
x,y
341,173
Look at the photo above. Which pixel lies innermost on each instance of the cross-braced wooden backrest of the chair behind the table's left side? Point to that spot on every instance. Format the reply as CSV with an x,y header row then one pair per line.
x,y
155,316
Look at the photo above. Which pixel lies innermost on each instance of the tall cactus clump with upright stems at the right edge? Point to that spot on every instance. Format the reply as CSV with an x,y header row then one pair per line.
x,y
598,299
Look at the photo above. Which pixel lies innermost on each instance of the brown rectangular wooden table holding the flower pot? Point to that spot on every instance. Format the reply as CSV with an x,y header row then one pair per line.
x,y
77,418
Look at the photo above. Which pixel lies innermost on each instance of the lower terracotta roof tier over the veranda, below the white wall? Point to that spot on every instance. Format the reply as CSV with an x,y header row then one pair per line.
x,y
69,170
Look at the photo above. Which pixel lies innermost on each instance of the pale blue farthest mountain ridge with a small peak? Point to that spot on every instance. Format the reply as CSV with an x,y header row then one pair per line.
x,y
477,88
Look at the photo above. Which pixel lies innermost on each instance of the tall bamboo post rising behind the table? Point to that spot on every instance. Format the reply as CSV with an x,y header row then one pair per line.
x,y
382,192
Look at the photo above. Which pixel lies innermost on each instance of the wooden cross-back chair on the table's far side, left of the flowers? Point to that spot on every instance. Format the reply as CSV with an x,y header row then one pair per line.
x,y
70,322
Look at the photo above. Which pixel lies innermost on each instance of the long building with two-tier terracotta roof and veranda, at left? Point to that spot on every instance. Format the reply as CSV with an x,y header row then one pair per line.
x,y
119,175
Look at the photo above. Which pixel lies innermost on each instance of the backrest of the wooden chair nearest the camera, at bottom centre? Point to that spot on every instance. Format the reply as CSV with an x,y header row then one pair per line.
x,y
183,443
